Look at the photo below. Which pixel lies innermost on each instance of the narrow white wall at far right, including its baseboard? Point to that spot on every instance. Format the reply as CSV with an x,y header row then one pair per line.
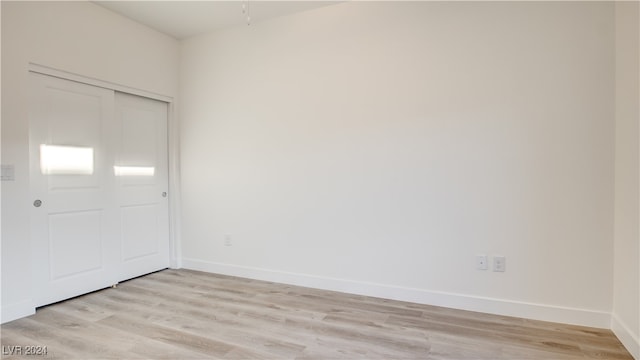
x,y
626,290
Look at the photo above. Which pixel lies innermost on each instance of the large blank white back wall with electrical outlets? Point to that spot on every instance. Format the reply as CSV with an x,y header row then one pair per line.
x,y
390,143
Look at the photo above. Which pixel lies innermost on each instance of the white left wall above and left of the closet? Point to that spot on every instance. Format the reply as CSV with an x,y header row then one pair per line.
x,y
77,37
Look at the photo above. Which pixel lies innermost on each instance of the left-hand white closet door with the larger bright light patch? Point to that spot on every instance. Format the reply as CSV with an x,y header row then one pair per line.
x,y
74,218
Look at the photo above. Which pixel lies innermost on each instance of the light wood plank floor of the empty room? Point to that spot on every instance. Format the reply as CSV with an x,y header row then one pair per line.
x,y
182,314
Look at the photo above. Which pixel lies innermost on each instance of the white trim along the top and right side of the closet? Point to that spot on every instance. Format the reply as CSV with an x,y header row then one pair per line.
x,y
173,147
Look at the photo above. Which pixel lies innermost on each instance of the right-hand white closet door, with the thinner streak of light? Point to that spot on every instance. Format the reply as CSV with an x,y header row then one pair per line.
x,y
141,172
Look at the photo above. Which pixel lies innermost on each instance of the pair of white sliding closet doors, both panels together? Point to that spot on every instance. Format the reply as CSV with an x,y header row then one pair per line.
x,y
97,175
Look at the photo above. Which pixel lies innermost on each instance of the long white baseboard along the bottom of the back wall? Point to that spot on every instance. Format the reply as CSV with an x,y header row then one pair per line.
x,y
567,315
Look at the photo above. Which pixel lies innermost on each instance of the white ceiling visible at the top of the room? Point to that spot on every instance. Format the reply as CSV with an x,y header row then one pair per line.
x,y
183,19
